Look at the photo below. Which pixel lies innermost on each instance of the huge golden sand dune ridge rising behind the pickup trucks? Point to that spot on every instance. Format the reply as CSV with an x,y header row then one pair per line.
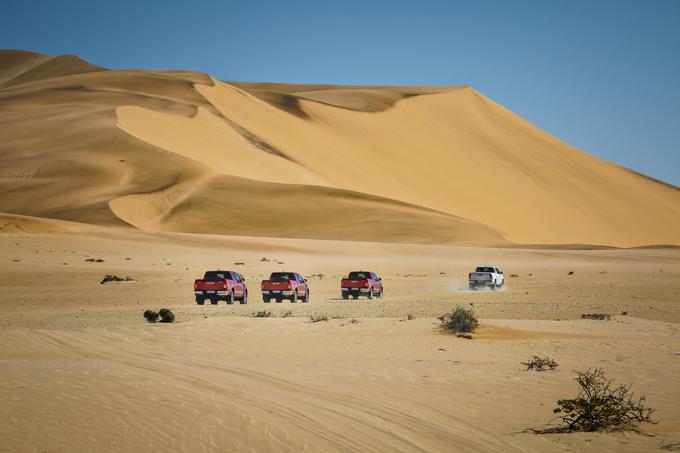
x,y
181,151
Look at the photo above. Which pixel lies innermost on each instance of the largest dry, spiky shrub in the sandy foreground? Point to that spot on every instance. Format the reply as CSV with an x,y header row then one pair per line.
x,y
600,405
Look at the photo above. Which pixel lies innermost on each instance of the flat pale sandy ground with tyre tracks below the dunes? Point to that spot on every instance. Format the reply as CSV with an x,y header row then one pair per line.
x,y
83,371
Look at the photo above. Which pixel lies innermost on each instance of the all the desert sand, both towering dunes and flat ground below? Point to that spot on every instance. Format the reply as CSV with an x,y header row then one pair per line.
x,y
161,175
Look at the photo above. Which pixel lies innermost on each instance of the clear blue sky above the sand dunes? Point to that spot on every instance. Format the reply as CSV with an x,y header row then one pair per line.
x,y
601,75
